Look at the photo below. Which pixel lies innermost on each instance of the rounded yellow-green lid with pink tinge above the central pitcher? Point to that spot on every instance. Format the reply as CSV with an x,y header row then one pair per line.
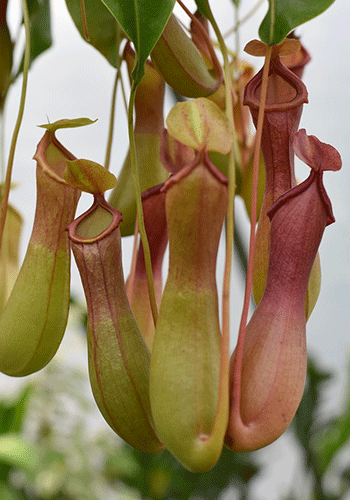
x,y
200,124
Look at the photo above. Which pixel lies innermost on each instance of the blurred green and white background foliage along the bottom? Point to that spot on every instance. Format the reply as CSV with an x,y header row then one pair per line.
x,y
50,448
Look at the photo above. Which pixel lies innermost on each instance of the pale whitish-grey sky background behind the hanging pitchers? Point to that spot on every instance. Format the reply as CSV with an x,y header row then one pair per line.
x,y
73,80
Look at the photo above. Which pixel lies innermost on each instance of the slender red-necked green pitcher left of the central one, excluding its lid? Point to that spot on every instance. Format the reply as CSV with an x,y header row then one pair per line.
x,y
118,357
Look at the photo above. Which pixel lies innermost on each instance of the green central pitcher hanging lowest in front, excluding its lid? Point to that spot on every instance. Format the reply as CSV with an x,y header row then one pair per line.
x,y
185,362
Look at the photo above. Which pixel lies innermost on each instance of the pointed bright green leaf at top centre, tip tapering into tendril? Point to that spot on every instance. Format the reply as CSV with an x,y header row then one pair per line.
x,y
143,21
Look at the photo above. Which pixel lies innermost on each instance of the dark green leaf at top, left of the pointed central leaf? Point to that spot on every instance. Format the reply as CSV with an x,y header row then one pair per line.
x,y
102,27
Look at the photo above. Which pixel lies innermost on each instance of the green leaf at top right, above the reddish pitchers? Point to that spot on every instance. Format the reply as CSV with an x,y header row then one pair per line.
x,y
285,15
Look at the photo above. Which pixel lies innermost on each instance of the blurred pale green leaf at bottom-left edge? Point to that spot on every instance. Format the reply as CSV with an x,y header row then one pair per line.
x,y
14,450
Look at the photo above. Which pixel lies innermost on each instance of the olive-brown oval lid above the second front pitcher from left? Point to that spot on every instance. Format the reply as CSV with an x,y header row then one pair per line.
x,y
89,176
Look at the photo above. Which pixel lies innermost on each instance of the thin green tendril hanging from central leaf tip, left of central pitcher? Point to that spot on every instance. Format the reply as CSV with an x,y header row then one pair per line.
x,y
139,210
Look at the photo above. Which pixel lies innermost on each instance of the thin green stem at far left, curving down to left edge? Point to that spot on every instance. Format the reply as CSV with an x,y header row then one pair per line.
x,y
26,64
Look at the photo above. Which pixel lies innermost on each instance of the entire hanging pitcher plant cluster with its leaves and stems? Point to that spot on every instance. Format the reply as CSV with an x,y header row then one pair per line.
x,y
158,342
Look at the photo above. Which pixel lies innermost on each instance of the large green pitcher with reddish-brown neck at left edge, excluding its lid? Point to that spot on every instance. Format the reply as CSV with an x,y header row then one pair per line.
x,y
35,316
